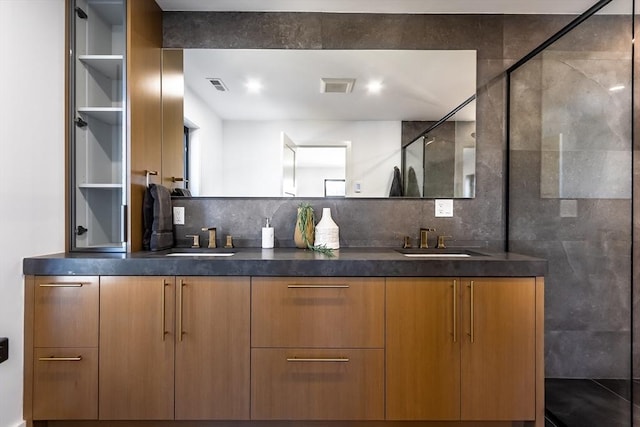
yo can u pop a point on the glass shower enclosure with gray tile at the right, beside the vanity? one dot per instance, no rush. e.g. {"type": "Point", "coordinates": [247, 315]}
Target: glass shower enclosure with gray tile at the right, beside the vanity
{"type": "Point", "coordinates": [570, 200]}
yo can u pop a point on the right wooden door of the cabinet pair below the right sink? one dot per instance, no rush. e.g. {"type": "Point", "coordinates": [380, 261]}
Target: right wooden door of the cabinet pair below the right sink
{"type": "Point", "coordinates": [498, 349]}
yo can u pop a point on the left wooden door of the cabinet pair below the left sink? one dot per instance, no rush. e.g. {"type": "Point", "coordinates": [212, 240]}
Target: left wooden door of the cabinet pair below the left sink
{"type": "Point", "coordinates": [136, 347]}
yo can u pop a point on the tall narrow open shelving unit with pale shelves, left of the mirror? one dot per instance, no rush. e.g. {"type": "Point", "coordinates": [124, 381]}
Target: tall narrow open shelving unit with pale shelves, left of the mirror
{"type": "Point", "coordinates": [98, 116]}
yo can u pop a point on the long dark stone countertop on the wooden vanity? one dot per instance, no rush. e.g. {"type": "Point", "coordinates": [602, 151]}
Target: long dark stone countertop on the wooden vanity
{"type": "Point", "coordinates": [353, 262]}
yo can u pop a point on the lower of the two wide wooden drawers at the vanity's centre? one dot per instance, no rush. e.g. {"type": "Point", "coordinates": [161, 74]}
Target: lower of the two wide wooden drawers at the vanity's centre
{"type": "Point", "coordinates": [317, 384]}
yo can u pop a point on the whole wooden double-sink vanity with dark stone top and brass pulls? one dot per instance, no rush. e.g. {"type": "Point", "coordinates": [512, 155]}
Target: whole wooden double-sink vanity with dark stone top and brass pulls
{"type": "Point", "coordinates": [367, 337]}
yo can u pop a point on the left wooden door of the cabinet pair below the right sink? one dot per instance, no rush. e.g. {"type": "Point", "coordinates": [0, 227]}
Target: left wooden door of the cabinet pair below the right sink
{"type": "Point", "coordinates": [423, 349]}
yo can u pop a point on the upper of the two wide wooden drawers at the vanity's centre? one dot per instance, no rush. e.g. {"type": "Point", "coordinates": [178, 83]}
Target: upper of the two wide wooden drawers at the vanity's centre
{"type": "Point", "coordinates": [317, 312]}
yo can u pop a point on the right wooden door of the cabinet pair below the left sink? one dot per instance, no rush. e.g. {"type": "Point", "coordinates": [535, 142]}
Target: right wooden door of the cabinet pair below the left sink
{"type": "Point", "coordinates": [212, 350]}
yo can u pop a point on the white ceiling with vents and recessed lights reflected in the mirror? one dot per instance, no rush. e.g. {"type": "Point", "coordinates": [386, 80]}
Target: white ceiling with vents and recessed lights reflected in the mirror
{"type": "Point", "coordinates": [416, 84]}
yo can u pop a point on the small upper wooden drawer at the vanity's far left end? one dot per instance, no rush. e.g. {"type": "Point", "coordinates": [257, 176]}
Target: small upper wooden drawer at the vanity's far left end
{"type": "Point", "coordinates": [66, 310]}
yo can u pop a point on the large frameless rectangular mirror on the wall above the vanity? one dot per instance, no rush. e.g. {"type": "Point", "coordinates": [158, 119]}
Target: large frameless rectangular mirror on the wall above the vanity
{"type": "Point", "coordinates": [314, 123]}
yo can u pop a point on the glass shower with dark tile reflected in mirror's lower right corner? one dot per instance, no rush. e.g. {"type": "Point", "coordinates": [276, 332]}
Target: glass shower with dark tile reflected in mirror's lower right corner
{"type": "Point", "coordinates": [441, 162]}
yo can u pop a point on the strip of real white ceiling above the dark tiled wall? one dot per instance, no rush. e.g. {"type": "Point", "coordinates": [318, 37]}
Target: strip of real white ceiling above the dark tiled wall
{"type": "Point", "coordinates": [395, 6]}
